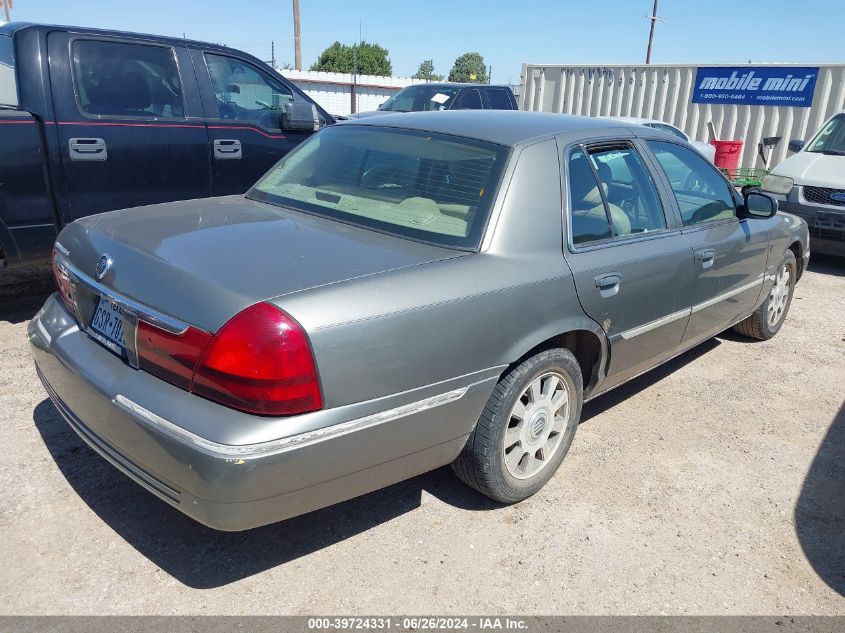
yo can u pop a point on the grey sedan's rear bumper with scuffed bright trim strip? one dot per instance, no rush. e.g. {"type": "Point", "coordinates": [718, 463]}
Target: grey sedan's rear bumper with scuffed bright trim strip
{"type": "Point", "coordinates": [149, 430]}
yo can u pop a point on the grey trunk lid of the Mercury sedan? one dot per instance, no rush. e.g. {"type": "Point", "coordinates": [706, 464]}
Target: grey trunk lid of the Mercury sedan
{"type": "Point", "coordinates": [203, 261]}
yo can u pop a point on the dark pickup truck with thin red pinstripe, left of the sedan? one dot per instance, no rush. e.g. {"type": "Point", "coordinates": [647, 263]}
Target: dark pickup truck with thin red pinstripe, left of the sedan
{"type": "Point", "coordinates": [92, 121]}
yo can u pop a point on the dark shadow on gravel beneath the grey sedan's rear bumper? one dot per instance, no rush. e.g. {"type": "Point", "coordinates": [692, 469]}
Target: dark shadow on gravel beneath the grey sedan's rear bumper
{"type": "Point", "coordinates": [203, 558]}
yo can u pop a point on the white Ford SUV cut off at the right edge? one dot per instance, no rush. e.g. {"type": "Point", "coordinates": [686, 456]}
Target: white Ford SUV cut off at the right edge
{"type": "Point", "coordinates": [817, 190]}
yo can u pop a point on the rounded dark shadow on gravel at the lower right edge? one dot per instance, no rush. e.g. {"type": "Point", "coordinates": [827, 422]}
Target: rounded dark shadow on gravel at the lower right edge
{"type": "Point", "coordinates": [820, 511]}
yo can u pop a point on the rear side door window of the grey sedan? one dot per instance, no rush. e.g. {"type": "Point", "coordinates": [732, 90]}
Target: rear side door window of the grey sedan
{"type": "Point", "coordinates": [612, 194]}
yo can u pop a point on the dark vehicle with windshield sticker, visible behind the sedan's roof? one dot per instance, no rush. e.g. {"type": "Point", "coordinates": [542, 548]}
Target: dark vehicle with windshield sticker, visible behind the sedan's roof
{"type": "Point", "coordinates": [445, 96]}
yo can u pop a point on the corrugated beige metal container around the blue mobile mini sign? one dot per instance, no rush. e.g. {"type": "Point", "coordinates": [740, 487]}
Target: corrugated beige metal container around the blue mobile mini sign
{"type": "Point", "coordinates": [665, 93]}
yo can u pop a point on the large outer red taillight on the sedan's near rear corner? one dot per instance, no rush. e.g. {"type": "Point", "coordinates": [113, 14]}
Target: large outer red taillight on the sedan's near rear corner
{"type": "Point", "coordinates": [260, 361]}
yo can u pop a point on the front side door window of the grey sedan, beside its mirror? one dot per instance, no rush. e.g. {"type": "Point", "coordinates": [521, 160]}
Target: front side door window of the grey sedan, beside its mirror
{"type": "Point", "coordinates": [702, 193]}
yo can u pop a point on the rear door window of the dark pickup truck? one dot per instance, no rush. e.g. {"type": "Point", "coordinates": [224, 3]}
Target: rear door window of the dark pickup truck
{"type": "Point", "coordinates": [119, 79]}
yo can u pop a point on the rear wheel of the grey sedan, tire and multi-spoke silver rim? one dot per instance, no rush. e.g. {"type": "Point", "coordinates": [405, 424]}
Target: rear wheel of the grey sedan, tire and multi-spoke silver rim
{"type": "Point", "coordinates": [526, 428]}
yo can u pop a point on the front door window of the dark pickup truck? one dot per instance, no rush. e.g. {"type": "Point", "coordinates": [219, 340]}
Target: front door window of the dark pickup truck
{"type": "Point", "coordinates": [245, 94]}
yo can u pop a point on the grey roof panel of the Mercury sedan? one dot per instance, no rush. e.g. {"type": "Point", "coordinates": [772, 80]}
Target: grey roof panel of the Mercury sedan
{"type": "Point", "coordinates": [504, 127]}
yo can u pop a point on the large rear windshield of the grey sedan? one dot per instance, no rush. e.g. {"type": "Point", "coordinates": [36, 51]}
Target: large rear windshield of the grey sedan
{"type": "Point", "coordinates": [419, 185]}
